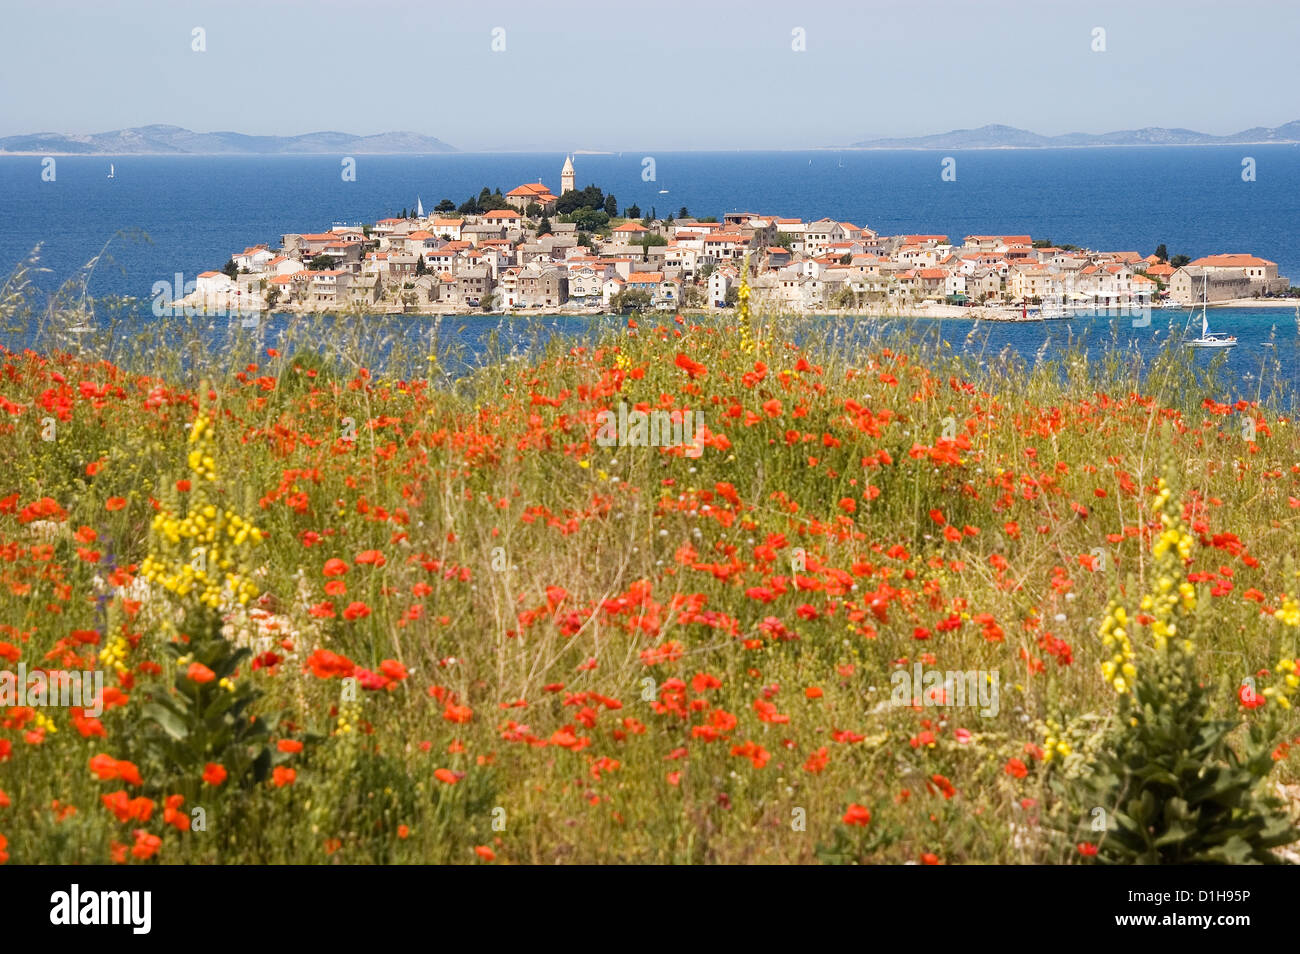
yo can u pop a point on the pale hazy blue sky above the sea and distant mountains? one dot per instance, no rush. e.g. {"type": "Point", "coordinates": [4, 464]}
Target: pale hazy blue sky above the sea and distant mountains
{"type": "Point", "coordinates": [670, 75]}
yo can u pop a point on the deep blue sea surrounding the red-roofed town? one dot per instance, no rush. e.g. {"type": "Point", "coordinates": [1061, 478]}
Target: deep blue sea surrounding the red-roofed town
{"type": "Point", "coordinates": [167, 215]}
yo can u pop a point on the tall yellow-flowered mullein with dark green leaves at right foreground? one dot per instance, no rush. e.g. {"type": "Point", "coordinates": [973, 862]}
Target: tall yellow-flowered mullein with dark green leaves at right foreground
{"type": "Point", "coordinates": [1169, 783]}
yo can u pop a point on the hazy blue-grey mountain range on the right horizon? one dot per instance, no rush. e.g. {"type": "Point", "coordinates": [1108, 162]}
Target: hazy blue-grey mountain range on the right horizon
{"type": "Point", "coordinates": [1011, 138]}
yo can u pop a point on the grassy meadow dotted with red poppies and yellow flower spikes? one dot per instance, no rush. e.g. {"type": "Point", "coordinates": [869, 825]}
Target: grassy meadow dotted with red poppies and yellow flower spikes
{"type": "Point", "coordinates": [346, 615]}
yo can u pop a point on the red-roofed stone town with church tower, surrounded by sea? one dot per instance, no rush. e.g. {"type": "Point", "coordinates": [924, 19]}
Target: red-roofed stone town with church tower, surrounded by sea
{"type": "Point", "coordinates": [577, 251]}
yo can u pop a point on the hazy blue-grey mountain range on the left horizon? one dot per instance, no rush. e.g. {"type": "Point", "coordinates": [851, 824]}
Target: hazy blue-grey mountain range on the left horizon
{"type": "Point", "coordinates": [177, 141]}
